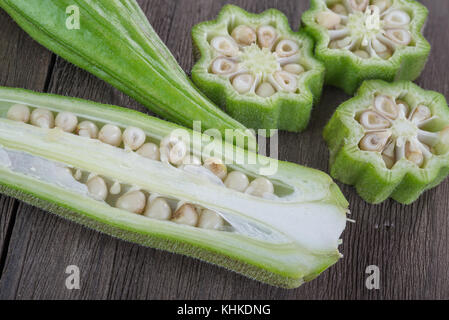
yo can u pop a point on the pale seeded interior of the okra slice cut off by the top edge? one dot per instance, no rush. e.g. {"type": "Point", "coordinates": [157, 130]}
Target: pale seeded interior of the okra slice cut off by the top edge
{"type": "Point", "coordinates": [367, 28]}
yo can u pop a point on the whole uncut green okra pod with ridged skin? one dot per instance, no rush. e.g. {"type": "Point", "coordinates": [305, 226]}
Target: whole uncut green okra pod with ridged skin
{"type": "Point", "coordinates": [116, 43]}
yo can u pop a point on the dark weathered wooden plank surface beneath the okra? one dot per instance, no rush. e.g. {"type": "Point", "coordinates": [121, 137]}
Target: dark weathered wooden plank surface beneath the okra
{"type": "Point", "coordinates": [408, 243]}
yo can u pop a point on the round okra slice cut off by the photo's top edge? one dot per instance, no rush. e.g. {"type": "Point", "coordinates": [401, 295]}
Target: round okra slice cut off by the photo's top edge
{"type": "Point", "coordinates": [368, 39]}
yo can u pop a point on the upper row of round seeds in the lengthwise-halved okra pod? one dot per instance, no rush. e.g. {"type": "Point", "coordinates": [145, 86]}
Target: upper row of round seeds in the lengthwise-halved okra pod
{"type": "Point", "coordinates": [171, 149]}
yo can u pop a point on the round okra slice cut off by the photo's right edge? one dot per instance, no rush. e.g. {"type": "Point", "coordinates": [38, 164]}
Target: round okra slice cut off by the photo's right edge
{"type": "Point", "coordinates": [390, 140]}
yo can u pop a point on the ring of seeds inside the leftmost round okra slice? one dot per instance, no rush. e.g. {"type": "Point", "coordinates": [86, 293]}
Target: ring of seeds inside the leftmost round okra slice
{"type": "Point", "coordinates": [243, 41]}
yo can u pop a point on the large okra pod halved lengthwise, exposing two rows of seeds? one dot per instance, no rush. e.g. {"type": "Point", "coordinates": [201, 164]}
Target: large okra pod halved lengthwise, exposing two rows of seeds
{"type": "Point", "coordinates": [154, 183]}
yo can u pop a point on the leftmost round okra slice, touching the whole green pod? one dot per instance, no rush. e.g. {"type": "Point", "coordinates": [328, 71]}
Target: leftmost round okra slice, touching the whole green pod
{"type": "Point", "coordinates": [255, 67]}
